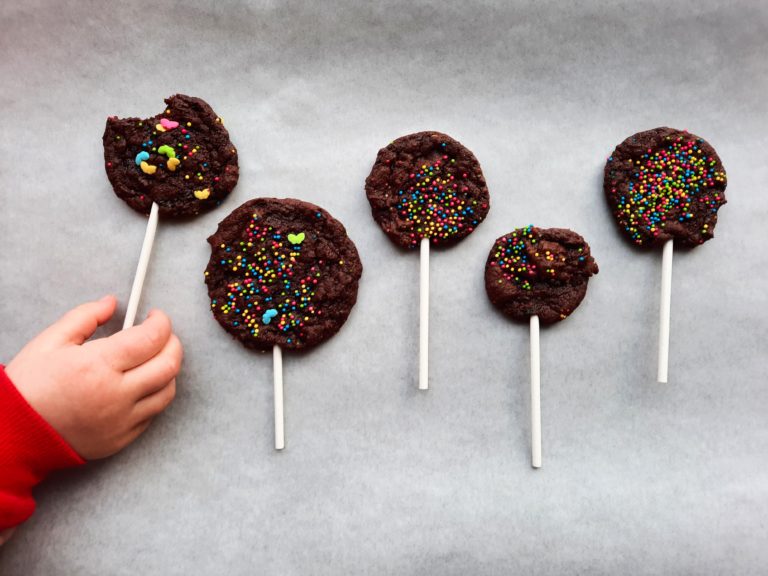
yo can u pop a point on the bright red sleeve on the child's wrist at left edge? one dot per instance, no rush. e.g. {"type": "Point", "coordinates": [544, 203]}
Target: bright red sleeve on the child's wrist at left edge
{"type": "Point", "coordinates": [29, 449]}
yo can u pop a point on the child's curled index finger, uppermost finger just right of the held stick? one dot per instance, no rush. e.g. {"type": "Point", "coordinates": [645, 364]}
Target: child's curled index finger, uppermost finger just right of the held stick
{"type": "Point", "coordinates": [134, 346]}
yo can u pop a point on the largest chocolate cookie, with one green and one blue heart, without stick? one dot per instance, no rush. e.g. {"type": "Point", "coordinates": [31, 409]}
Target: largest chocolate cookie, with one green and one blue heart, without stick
{"type": "Point", "coordinates": [282, 272]}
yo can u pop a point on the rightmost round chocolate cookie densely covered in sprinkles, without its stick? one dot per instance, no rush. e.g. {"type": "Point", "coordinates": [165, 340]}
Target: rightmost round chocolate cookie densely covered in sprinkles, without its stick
{"type": "Point", "coordinates": [663, 184]}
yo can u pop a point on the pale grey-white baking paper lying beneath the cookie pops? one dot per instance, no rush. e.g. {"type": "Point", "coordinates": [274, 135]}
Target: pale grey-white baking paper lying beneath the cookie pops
{"type": "Point", "coordinates": [377, 477]}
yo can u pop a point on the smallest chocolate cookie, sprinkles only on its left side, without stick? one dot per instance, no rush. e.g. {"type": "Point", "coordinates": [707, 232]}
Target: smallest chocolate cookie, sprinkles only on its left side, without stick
{"type": "Point", "coordinates": [538, 271]}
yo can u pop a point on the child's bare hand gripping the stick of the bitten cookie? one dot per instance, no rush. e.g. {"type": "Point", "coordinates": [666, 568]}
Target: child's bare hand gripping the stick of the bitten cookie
{"type": "Point", "coordinates": [99, 395]}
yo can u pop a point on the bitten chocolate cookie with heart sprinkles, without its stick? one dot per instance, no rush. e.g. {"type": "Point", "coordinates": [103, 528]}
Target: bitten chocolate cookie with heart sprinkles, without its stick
{"type": "Point", "coordinates": [182, 159]}
